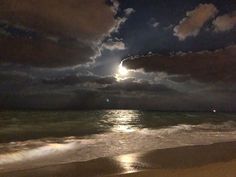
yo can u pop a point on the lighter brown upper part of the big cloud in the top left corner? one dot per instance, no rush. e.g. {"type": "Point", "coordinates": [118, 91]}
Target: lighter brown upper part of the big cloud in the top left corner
{"type": "Point", "coordinates": [69, 18]}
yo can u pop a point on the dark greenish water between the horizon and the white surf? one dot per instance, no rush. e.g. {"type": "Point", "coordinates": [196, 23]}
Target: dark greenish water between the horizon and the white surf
{"type": "Point", "coordinates": [18, 125]}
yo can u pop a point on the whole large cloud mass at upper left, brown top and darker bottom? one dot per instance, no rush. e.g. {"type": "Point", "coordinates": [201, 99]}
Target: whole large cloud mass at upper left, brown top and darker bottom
{"type": "Point", "coordinates": [67, 33]}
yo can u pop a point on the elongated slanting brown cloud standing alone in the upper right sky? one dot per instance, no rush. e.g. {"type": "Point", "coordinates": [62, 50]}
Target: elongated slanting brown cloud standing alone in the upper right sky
{"type": "Point", "coordinates": [194, 21]}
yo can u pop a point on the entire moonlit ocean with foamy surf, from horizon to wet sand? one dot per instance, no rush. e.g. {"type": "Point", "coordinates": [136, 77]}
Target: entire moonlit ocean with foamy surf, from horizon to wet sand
{"type": "Point", "coordinates": [40, 138]}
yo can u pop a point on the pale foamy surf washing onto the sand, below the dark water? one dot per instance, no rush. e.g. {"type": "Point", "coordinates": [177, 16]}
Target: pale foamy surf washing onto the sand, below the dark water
{"type": "Point", "coordinates": [35, 153]}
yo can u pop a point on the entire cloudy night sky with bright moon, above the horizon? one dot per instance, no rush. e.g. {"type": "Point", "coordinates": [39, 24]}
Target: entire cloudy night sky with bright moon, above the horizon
{"type": "Point", "coordinates": [128, 54]}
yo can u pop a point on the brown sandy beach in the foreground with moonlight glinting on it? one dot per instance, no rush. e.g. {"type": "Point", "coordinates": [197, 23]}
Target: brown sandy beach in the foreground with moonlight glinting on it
{"type": "Point", "coordinates": [215, 160]}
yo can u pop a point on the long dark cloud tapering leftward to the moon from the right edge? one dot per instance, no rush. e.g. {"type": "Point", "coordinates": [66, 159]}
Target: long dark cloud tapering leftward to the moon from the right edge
{"type": "Point", "coordinates": [206, 66]}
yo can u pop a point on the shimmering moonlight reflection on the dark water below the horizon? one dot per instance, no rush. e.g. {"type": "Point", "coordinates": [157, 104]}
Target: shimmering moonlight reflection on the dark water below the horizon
{"type": "Point", "coordinates": [123, 121]}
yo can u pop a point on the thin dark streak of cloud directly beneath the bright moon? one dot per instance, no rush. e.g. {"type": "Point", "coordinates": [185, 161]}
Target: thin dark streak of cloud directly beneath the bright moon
{"type": "Point", "coordinates": [109, 84]}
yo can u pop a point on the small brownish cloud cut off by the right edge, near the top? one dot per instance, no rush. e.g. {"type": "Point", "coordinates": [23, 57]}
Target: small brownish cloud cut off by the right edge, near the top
{"type": "Point", "coordinates": [225, 22]}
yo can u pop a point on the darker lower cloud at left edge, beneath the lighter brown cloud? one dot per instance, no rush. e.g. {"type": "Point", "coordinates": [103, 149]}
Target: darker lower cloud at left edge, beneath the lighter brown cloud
{"type": "Point", "coordinates": [43, 53]}
